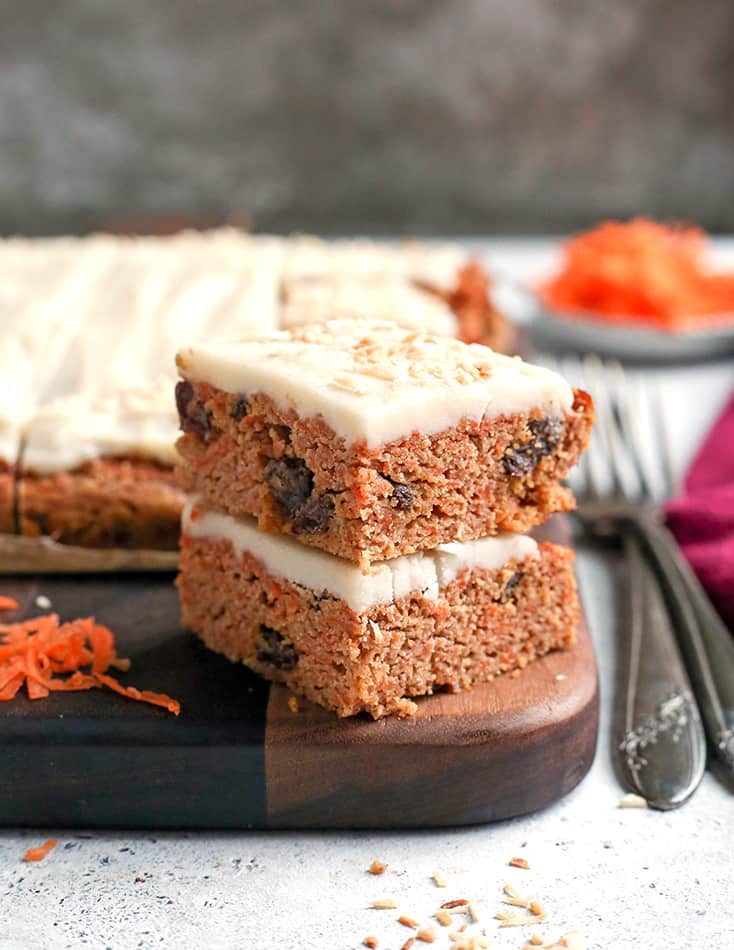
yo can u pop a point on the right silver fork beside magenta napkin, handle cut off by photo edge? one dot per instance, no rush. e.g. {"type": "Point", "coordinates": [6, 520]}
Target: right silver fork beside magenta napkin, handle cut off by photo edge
{"type": "Point", "coordinates": [706, 644]}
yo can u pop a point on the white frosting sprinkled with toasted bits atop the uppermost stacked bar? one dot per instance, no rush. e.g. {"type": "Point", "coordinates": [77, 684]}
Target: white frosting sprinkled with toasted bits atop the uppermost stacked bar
{"type": "Point", "coordinates": [376, 381]}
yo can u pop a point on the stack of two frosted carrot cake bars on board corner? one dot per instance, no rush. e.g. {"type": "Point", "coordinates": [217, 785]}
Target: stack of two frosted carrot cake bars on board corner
{"type": "Point", "coordinates": [359, 496]}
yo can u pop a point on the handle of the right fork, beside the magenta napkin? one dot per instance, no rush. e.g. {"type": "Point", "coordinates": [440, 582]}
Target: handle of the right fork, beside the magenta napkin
{"type": "Point", "coordinates": [706, 643]}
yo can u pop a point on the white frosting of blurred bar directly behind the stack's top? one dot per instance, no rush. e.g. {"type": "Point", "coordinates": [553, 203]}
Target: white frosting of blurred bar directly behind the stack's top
{"type": "Point", "coordinates": [320, 300]}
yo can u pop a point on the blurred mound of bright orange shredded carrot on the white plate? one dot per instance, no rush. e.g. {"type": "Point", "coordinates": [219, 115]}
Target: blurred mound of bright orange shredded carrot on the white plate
{"type": "Point", "coordinates": [641, 272]}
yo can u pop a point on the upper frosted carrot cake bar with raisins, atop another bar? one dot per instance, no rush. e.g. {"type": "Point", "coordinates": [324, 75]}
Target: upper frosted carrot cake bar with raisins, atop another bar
{"type": "Point", "coordinates": [370, 441]}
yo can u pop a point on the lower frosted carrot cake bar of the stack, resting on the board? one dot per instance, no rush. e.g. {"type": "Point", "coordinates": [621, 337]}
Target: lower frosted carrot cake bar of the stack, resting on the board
{"type": "Point", "coordinates": [353, 641]}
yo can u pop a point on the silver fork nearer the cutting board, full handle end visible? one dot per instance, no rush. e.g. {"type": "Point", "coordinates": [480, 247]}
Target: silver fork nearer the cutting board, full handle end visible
{"type": "Point", "coordinates": [658, 737]}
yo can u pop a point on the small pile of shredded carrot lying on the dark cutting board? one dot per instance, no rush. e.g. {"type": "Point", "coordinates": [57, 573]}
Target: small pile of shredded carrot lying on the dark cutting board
{"type": "Point", "coordinates": [46, 656]}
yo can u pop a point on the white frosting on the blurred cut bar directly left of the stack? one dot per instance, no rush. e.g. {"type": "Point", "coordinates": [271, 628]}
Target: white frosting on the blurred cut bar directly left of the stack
{"type": "Point", "coordinates": [71, 430]}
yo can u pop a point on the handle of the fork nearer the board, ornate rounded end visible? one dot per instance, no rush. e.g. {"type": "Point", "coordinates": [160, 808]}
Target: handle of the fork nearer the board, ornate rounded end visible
{"type": "Point", "coordinates": [660, 740]}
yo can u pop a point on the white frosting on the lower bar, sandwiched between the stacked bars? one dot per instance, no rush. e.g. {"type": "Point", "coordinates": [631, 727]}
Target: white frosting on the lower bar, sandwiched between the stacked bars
{"type": "Point", "coordinates": [386, 581]}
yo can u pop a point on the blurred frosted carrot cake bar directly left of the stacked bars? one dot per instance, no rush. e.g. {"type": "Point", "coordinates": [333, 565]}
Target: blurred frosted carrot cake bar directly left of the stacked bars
{"type": "Point", "coordinates": [99, 471]}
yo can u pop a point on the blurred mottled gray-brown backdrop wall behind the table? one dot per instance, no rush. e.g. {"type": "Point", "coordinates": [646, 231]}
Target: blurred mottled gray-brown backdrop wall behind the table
{"type": "Point", "coordinates": [410, 116]}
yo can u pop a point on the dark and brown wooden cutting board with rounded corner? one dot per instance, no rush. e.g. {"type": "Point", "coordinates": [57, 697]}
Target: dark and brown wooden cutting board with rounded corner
{"type": "Point", "coordinates": [238, 757]}
